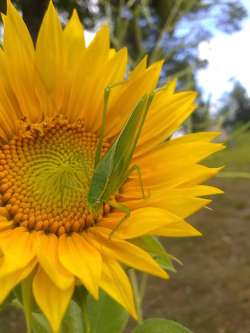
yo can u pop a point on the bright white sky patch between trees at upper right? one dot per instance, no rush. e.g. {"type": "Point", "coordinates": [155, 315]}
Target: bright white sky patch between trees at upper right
{"type": "Point", "coordinates": [228, 59]}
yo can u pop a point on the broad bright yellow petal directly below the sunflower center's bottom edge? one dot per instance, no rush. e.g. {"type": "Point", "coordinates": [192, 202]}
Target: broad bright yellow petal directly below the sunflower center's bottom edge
{"type": "Point", "coordinates": [82, 260]}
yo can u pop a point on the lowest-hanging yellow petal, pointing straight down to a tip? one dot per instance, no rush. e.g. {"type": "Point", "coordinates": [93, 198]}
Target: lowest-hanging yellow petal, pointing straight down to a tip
{"type": "Point", "coordinates": [52, 300]}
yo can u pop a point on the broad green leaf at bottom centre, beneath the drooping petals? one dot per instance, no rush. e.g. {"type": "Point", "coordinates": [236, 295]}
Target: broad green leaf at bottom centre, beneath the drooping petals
{"type": "Point", "coordinates": [106, 316]}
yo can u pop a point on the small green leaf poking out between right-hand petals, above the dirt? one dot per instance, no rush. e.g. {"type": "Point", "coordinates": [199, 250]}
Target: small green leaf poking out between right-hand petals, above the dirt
{"type": "Point", "coordinates": [156, 249]}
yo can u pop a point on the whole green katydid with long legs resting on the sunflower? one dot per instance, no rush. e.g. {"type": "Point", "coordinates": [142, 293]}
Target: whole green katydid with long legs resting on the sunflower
{"type": "Point", "coordinates": [114, 168]}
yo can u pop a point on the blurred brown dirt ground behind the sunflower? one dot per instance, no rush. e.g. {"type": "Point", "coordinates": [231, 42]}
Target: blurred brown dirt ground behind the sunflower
{"type": "Point", "coordinates": [211, 291]}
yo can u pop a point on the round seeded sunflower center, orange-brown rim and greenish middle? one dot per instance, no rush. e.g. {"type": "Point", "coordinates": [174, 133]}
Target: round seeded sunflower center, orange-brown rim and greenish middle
{"type": "Point", "coordinates": [45, 177]}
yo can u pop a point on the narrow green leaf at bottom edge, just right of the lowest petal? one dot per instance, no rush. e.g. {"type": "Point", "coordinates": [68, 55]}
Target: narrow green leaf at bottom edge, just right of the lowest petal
{"type": "Point", "coordinates": [73, 319]}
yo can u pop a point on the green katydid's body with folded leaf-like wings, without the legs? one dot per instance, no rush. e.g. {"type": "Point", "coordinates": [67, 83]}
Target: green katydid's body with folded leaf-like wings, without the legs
{"type": "Point", "coordinates": [112, 170]}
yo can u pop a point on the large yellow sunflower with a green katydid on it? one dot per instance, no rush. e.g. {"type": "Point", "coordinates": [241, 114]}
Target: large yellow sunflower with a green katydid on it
{"type": "Point", "coordinates": [51, 106]}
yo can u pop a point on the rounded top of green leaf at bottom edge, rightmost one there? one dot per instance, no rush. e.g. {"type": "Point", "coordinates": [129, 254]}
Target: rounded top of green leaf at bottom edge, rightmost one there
{"type": "Point", "coordinates": [158, 325]}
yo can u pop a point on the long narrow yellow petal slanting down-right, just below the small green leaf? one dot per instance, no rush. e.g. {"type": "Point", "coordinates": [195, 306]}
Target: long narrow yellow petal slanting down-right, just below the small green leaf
{"type": "Point", "coordinates": [126, 253]}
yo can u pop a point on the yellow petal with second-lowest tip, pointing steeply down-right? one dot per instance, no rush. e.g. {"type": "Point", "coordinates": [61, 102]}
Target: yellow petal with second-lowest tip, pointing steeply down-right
{"type": "Point", "coordinates": [116, 283]}
